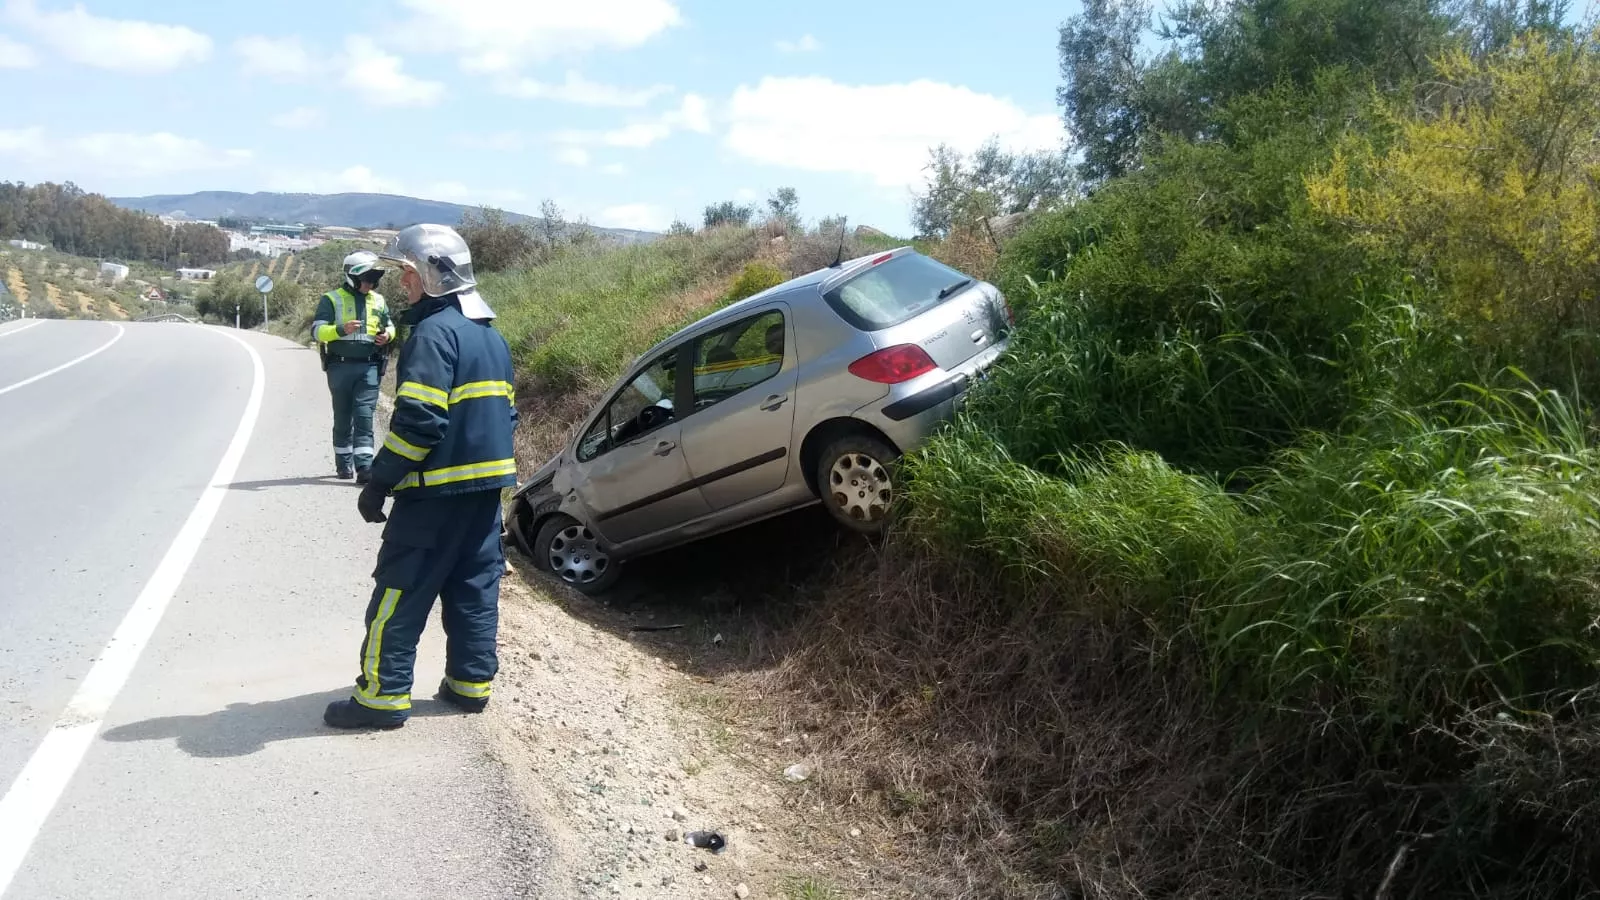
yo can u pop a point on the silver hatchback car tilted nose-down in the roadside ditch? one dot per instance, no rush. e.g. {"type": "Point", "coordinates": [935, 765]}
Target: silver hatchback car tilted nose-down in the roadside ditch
{"type": "Point", "coordinates": [806, 393]}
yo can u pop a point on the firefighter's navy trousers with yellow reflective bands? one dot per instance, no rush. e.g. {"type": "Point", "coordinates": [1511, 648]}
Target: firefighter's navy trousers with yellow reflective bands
{"type": "Point", "coordinates": [446, 548]}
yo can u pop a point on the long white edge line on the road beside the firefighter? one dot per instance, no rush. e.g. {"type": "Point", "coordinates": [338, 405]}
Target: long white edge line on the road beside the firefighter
{"type": "Point", "coordinates": [28, 805]}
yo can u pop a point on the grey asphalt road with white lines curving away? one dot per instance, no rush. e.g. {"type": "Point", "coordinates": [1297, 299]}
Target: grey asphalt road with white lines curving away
{"type": "Point", "coordinates": [167, 645]}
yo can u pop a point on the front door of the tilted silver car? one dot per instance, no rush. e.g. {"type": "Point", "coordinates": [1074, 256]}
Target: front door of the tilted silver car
{"type": "Point", "coordinates": [631, 472]}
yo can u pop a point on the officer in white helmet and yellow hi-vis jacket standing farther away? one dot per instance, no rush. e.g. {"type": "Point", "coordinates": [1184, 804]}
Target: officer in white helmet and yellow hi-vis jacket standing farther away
{"type": "Point", "coordinates": [353, 329]}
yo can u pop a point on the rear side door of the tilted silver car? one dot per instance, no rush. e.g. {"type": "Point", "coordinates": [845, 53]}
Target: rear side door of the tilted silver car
{"type": "Point", "coordinates": [738, 440]}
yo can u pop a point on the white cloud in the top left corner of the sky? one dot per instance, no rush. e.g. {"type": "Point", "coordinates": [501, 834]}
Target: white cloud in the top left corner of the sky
{"type": "Point", "coordinates": [127, 46]}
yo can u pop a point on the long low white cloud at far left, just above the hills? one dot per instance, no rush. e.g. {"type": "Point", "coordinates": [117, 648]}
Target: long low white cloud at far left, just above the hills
{"type": "Point", "coordinates": [110, 156]}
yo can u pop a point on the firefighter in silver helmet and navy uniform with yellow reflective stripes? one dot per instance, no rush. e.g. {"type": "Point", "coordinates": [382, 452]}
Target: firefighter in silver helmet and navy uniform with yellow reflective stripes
{"type": "Point", "coordinates": [446, 460]}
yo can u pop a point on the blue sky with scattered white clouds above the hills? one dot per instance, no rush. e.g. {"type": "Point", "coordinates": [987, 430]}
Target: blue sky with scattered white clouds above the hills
{"type": "Point", "coordinates": [626, 113]}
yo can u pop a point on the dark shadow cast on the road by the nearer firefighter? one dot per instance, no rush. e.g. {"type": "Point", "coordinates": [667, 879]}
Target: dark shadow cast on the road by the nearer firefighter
{"type": "Point", "coordinates": [242, 729]}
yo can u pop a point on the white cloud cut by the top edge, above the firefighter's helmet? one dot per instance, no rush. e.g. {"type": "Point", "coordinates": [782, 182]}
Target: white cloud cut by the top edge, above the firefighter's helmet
{"type": "Point", "coordinates": [502, 36]}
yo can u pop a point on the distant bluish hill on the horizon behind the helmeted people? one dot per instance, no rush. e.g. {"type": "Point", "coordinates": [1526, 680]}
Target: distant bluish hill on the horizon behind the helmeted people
{"type": "Point", "coordinates": [354, 211]}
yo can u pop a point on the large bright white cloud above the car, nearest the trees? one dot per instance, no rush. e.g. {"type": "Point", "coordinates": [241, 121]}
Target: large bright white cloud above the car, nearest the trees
{"type": "Point", "coordinates": [882, 132]}
